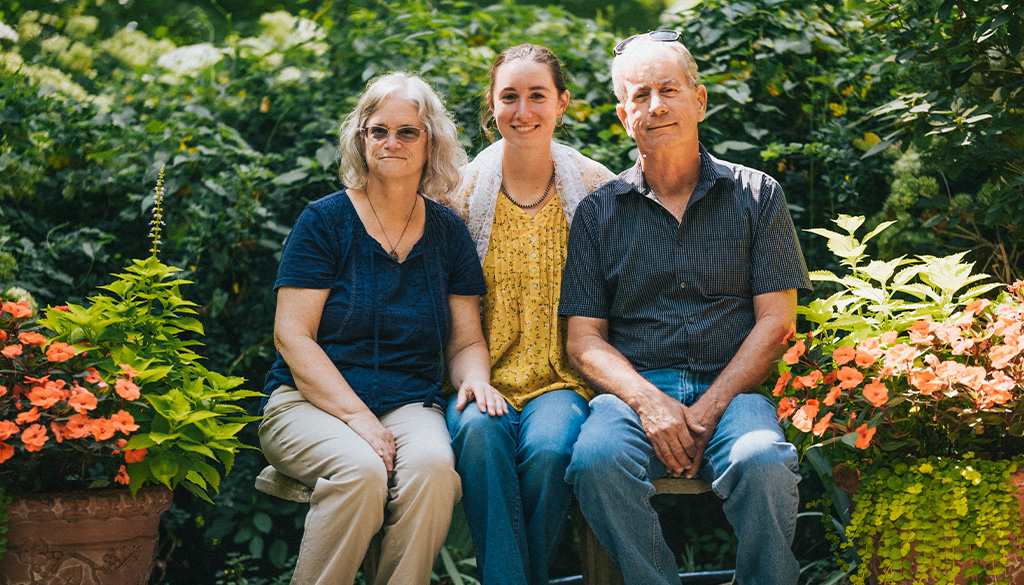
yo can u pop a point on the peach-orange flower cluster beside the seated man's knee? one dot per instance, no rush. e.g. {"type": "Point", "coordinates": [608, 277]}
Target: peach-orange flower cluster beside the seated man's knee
{"type": "Point", "coordinates": [961, 374]}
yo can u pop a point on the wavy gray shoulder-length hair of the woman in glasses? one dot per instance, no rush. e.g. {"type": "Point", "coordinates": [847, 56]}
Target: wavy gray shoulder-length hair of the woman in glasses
{"type": "Point", "coordinates": [445, 154]}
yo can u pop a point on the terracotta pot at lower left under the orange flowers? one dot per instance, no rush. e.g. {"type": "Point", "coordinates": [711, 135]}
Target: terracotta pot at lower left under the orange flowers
{"type": "Point", "coordinates": [102, 537]}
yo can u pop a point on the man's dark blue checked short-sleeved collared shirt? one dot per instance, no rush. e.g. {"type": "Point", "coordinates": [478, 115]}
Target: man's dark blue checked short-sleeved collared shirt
{"type": "Point", "coordinates": [681, 296]}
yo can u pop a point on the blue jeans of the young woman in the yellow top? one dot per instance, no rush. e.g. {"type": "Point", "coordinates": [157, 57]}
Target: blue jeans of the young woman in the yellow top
{"type": "Point", "coordinates": [515, 492]}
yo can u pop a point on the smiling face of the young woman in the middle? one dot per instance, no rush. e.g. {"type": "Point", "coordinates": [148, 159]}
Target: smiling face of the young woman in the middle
{"type": "Point", "coordinates": [526, 103]}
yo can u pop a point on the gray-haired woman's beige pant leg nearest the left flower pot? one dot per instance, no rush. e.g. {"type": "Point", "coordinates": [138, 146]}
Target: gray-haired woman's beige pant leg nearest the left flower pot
{"type": "Point", "coordinates": [349, 479]}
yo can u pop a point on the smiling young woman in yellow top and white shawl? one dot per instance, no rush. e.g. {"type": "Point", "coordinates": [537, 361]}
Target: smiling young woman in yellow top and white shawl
{"type": "Point", "coordinates": [519, 197]}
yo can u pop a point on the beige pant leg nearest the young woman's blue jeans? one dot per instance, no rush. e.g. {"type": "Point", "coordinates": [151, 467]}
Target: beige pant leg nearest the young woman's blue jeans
{"type": "Point", "coordinates": [422, 493]}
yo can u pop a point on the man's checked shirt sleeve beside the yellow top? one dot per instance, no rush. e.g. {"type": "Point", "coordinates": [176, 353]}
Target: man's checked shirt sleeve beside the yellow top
{"type": "Point", "coordinates": [584, 292]}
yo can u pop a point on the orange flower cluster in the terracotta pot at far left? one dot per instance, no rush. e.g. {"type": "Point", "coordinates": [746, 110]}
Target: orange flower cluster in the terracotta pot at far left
{"type": "Point", "coordinates": [52, 401]}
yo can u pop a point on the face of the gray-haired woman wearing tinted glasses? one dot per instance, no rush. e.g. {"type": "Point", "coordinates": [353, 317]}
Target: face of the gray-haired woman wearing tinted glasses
{"type": "Point", "coordinates": [390, 157]}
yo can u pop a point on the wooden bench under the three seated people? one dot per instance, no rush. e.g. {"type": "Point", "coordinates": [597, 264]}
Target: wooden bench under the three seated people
{"type": "Point", "coordinates": [598, 566]}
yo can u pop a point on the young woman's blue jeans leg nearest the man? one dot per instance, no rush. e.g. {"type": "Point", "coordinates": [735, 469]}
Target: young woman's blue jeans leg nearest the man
{"type": "Point", "coordinates": [549, 427]}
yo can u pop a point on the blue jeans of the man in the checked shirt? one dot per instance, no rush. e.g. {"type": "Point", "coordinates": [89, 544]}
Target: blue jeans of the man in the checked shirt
{"type": "Point", "coordinates": [748, 463]}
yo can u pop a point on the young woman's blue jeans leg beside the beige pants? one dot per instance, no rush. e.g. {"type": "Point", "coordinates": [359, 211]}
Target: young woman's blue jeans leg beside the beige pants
{"type": "Point", "coordinates": [486, 457]}
